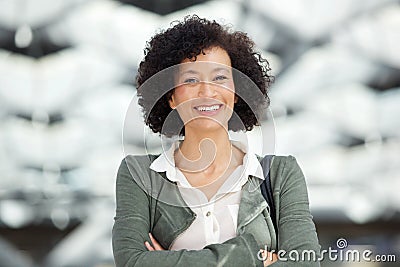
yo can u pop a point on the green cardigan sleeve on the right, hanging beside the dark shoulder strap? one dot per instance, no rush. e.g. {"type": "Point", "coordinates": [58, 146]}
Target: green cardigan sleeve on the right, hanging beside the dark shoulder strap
{"type": "Point", "coordinates": [297, 237]}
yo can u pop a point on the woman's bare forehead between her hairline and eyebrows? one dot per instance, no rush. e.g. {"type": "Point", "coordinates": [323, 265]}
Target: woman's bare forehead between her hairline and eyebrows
{"type": "Point", "coordinates": [214, 57]}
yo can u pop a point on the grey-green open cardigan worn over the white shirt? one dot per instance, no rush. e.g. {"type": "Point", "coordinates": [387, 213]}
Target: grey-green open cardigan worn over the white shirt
{"type": "Point", "coordinates": [149, 202]}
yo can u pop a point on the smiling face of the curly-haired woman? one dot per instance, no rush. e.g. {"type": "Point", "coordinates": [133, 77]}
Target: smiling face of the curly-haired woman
{"type": "Point", "coordinates": [205, 93]}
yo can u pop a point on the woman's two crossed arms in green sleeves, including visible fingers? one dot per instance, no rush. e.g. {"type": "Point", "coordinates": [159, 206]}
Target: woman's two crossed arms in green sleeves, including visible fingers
{"type": "Point", "coordinates": [133, 246]}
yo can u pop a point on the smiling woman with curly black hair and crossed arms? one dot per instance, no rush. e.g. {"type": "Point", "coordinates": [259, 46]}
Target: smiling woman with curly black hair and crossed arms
{"type": "Point", "coordinates": [193, 204]}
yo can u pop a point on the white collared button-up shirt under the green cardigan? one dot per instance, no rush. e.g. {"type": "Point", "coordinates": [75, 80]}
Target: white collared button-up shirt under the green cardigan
{"type": "Point", "coordinates": [216, 219]}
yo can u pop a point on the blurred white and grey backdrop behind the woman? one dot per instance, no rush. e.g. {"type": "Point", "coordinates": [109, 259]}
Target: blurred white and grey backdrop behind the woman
{"type": "Point", "coordinates": [67, 70]}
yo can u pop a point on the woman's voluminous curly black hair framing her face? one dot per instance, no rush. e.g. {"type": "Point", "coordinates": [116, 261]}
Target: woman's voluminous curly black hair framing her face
{"type": "Point", "coordinates": [186, 40]}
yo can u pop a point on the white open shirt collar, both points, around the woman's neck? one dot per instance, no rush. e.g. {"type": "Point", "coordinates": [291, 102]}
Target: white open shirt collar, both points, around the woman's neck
{"type": "Point", "coordinates": [251, 166]}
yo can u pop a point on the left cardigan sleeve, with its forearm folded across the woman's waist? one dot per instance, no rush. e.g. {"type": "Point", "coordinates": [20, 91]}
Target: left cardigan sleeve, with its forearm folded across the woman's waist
{"type": "Point", "coordinates": [132, 224]}
